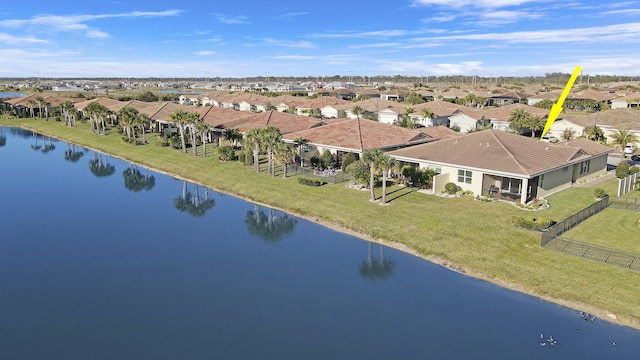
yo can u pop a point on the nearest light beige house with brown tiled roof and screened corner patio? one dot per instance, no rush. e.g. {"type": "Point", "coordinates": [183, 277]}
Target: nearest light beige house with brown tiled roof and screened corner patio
{"type": "Point", "coordinates": [507, 166]}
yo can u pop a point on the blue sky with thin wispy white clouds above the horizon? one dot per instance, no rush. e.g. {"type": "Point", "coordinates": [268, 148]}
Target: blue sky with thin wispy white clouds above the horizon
{"type": "Point", "coordinates": [188, 38]}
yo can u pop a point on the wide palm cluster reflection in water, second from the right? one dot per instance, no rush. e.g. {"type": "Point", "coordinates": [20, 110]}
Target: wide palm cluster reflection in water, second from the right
{"type": "Point", "coordinates": [272, 227]}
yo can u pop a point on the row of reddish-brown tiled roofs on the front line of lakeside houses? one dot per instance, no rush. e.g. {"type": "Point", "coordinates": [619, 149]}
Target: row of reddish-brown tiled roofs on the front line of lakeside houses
{"type": "Point", "coordinates": [490, 149]}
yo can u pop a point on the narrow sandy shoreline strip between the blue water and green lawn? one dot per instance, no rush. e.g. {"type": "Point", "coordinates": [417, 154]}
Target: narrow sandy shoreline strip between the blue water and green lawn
{"type": "Point", "coordinates": [600, 313]}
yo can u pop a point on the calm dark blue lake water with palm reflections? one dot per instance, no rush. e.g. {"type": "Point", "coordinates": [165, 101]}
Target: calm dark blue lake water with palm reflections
{"type": "Point", "coordinates": [101, 259]}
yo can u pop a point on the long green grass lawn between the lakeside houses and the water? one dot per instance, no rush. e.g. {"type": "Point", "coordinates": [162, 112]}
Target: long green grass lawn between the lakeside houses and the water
{"type": "Point", "coordinates": [478, 237]}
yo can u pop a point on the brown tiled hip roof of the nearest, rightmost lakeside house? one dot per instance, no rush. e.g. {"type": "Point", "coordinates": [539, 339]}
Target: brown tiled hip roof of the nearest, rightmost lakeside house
{"type": "Point", "coordinates": [503, 152]}
